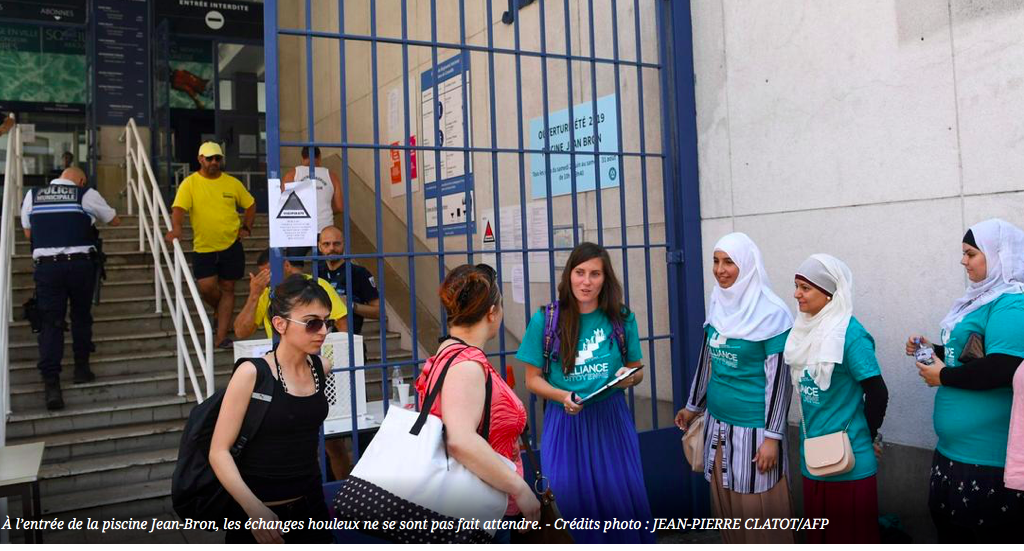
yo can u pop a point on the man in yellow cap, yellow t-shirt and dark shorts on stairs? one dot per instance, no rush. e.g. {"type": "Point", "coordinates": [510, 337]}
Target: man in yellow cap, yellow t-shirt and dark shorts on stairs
{"type": "Point", "coordinates": [212, 199]}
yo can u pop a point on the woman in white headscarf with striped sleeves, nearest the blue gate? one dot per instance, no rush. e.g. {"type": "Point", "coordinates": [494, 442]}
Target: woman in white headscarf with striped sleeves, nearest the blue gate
{"type": "Point", "coordinates": [745, 388]}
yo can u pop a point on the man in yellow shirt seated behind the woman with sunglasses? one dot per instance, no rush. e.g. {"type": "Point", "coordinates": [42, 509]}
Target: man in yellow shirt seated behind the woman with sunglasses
{"type": "Point", "coordinates": [254, 314]}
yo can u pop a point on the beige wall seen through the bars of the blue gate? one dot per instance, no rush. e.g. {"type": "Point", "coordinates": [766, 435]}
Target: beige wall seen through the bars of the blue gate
{"type": "Point", "coordinates": [363, 101]}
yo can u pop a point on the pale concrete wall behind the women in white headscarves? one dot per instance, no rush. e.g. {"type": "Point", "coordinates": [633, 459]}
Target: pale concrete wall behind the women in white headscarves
{"type": "Point", "coordinates": [878, 132]}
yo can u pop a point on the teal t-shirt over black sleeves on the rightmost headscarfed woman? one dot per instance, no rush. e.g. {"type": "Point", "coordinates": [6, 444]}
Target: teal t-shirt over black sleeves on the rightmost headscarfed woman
{"type": "Point", "coordinates": [973, 426]}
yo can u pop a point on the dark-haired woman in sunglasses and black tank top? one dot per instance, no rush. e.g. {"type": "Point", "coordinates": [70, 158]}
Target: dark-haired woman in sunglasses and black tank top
{"type": "Point", "coordinates": [278, 477]}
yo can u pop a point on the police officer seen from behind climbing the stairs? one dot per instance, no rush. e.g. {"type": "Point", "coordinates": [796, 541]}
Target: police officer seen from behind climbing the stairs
{"type": "Point", "coordinates": [59, 220]}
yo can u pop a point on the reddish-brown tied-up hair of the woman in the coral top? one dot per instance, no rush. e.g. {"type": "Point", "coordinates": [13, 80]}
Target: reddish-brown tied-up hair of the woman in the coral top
{"type": "Point", "coordinates": [468, 293]}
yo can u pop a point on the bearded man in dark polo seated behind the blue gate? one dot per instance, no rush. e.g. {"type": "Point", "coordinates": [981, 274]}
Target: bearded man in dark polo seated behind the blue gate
{"type": "Point", "coordinates": [366, 301]}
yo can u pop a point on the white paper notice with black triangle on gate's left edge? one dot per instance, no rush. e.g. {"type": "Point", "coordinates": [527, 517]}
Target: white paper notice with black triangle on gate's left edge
{"type": "Point", "coordinates": [293, 221]}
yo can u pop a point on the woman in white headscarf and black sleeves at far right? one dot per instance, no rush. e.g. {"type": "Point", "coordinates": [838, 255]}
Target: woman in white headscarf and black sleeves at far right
{"type": "Point", "coordinates": [983, 347]}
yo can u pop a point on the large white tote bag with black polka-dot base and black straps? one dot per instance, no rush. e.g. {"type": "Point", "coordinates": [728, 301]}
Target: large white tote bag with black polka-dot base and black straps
{"type": "Point", "coordinates": [407, 468]}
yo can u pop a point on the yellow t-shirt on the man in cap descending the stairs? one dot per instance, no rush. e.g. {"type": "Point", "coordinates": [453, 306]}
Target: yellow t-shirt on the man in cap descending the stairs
{"type": "Point", "coordinates": [214, 207]}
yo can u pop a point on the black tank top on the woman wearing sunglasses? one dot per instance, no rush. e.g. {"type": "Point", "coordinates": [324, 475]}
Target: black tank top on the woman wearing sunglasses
{"type": "Point", "coordinates": [281, 462]}
